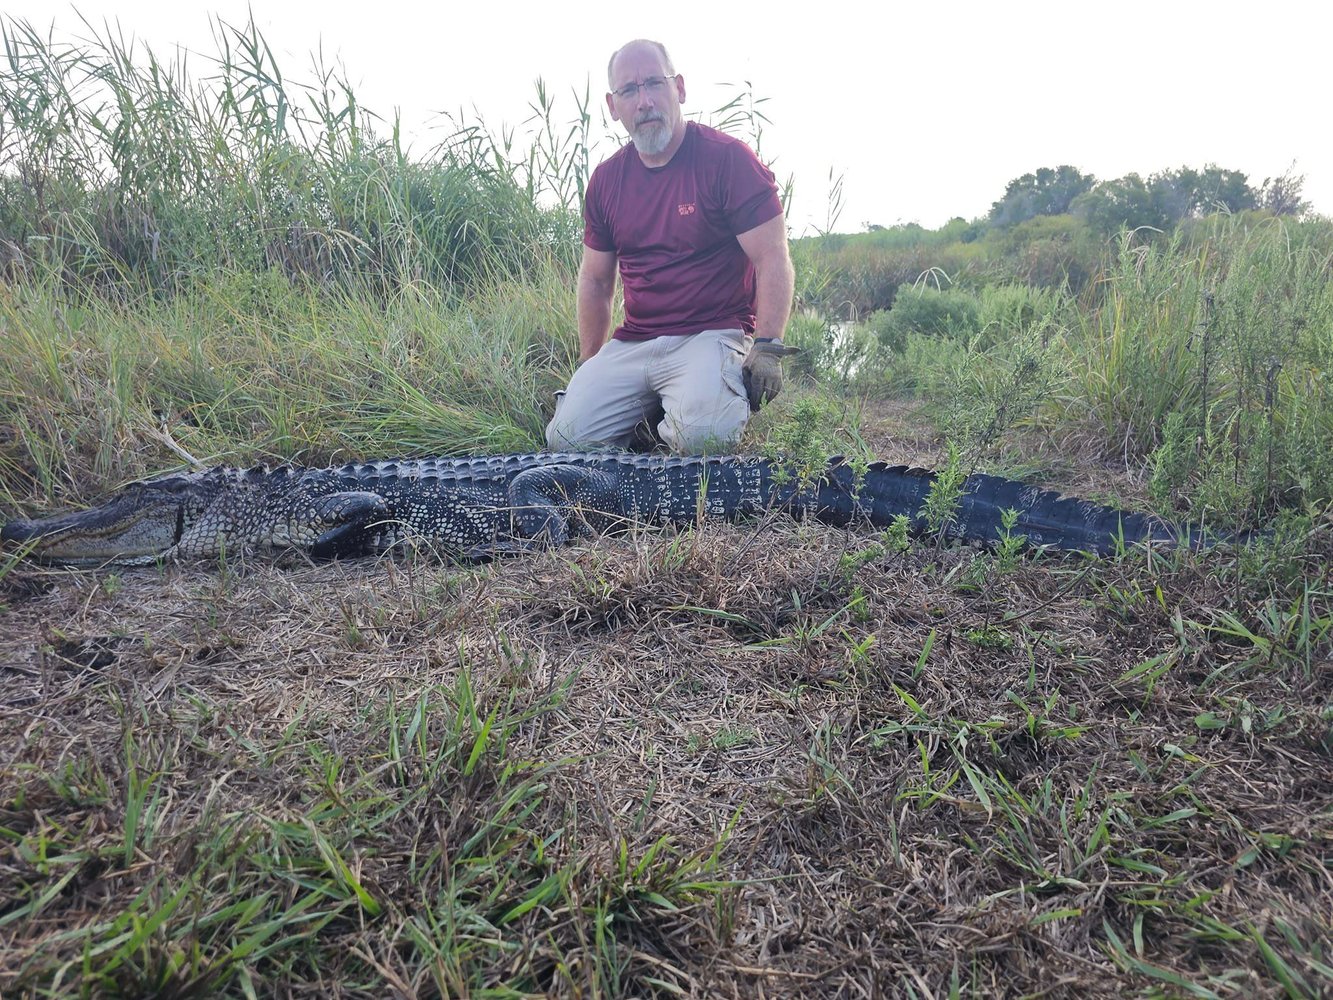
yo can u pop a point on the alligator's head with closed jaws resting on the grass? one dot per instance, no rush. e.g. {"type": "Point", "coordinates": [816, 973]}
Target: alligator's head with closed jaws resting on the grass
{"type": "Point", "coordinates": [141, 525]}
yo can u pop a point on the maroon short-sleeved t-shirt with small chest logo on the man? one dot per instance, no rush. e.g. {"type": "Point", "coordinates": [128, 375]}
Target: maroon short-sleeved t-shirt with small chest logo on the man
{"type": "Point", "coordinates": [674, 231]}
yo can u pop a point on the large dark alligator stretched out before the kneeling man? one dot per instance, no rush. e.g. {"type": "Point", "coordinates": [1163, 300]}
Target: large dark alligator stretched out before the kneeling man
{"type": "Point", "coordinates": [478, 507]}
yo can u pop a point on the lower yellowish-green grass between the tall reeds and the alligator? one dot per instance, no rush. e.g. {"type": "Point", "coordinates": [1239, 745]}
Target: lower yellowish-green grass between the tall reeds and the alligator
{"type": "Point", "coordinates": [253, 369]}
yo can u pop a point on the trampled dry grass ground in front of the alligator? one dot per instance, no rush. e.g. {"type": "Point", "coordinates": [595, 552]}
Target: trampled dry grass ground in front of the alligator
{"type": "Point", "coordinates": [742, 761]}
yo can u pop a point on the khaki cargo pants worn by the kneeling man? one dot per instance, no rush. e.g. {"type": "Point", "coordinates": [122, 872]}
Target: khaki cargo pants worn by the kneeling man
{"type": "Point", "coordinates": [694, 382]}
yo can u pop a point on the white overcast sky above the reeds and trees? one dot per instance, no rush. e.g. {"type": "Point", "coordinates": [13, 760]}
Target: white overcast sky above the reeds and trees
{"type": "Point", "coordinates": [926, 111]}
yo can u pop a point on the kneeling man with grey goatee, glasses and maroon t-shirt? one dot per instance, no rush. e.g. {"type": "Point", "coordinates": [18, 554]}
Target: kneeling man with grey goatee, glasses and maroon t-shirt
{"type": "Point", "coordinates": [694, 225]}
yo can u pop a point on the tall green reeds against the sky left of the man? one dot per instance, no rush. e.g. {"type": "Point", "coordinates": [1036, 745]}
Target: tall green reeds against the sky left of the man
{"type": "Point", "coordinates": [122, 171]}
